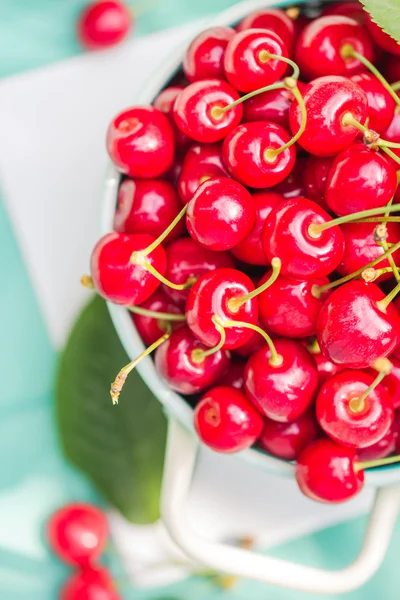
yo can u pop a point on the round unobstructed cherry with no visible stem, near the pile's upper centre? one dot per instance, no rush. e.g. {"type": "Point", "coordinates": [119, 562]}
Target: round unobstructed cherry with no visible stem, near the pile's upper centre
{"type": "Point", "coordinates": [221, 214]}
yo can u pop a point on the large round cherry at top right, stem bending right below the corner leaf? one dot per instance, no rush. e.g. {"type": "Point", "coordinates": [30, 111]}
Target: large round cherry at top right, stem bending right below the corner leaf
{"type": "Point", "coordinates": [319, 48]}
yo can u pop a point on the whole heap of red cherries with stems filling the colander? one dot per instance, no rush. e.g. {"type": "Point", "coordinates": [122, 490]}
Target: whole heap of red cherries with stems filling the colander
{"type": "Point", "coordinates": [256, 240]}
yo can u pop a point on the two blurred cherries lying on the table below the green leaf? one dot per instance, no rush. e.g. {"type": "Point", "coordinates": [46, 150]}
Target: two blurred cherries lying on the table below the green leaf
{"type": "Point", "coordinates": [77, 533]}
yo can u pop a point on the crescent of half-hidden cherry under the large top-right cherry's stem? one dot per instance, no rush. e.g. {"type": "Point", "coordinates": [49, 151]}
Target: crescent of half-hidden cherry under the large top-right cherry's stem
{"type": "Point", "coordinates": [380, 103]}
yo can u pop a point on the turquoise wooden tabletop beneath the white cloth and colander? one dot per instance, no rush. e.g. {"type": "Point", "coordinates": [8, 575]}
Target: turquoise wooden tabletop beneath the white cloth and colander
{"type": "Point", "coordinates": [34, 478]}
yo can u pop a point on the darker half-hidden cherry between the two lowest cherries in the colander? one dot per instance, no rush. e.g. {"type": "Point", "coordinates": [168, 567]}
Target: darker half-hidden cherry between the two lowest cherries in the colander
{"type": "Point", "coordinates": [287, 440]}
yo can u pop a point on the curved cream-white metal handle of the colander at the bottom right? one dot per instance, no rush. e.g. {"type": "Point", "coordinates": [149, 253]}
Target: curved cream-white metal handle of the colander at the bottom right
{"type": "Point", "coordinates": [182, 447]}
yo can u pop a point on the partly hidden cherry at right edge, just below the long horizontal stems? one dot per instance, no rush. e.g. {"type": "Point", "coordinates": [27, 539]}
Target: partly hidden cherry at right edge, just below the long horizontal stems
{"type": "Point", "coordinates": [360, 247]}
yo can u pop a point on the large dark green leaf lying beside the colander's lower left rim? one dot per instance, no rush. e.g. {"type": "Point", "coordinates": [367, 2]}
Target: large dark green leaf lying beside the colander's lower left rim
{"type": "Point", "coordinates": [120, 448]}
